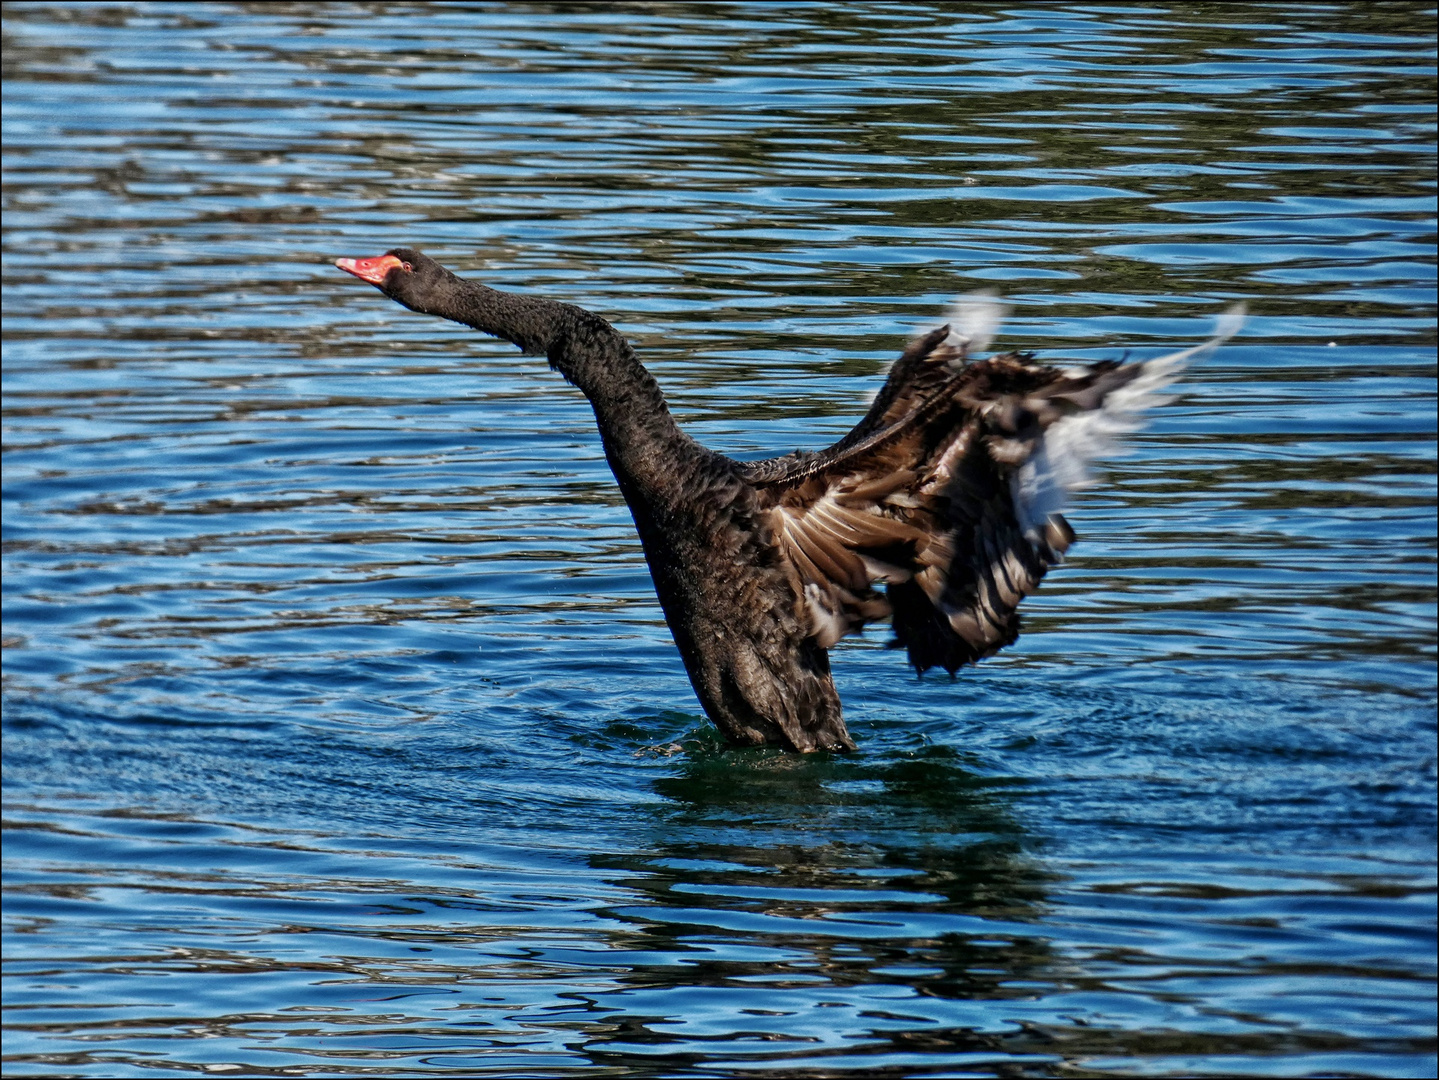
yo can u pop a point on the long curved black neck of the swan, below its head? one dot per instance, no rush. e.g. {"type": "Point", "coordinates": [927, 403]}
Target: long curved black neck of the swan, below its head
{"type": "Point", "coordinates": [645, 448]}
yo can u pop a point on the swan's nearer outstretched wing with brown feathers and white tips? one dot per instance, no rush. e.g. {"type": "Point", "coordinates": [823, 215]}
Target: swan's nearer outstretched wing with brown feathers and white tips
{"type": "Point", "coordinates": [949, 493]}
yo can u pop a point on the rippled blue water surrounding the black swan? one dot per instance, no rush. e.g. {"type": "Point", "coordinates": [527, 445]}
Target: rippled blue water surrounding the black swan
{"type": "Point", "coordinates": [343, 731]}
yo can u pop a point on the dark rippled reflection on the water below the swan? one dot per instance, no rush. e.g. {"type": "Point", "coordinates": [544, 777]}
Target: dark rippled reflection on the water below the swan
{"type": "Point", "coordinates": [795, 904]}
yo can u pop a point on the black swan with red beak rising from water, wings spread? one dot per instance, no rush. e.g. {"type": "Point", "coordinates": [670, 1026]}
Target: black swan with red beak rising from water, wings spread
{"type": "Point", "coordinates": [948, 493]}
